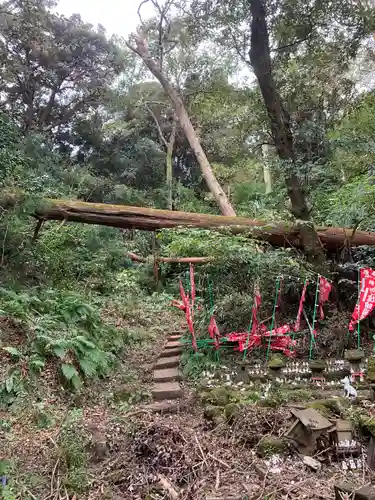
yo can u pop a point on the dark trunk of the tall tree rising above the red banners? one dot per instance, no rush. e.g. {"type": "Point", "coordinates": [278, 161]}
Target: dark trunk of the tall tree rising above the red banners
{"type": "Point", "coordinates": [280, 126]}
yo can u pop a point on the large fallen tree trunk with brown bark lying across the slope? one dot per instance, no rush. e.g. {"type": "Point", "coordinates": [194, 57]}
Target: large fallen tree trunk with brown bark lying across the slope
{"type": "Point", "coordinates": [150, 219]}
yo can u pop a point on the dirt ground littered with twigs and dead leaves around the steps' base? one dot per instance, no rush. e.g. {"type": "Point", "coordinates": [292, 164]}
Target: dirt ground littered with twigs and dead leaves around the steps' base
{"type": "Point", "coordinates": [107, 444]}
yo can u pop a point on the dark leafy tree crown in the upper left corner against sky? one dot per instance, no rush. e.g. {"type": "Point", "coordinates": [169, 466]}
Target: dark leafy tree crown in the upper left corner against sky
{"type": "Point", "coordinates": [53, 68]}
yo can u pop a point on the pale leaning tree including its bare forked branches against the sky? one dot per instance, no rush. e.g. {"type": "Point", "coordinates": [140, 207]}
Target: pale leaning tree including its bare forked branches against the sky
{"type": "Point", "coordinates": [164, 44]}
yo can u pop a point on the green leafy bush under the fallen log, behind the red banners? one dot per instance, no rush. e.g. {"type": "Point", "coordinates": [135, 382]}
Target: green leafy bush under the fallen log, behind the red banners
{"type": "Point", "coordinates": [237, 264]}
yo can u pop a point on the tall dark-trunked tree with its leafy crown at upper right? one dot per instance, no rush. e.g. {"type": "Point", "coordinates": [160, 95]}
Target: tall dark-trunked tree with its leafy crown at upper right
{"type": "Point", "coordinates": [297, 33]}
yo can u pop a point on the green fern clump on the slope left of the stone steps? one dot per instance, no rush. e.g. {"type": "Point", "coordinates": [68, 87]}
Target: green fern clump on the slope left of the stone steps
{"type": "Point", "coordinates": [67, 330]}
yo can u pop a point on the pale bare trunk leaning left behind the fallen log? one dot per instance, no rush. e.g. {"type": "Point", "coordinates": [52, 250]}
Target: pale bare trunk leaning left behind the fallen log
{"type": "Point", "coordinates": [207, 173]}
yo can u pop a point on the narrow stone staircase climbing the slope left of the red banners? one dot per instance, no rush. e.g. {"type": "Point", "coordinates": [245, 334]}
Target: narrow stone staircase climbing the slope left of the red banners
{"type": "Point", "coordinates": [167, 390]}
